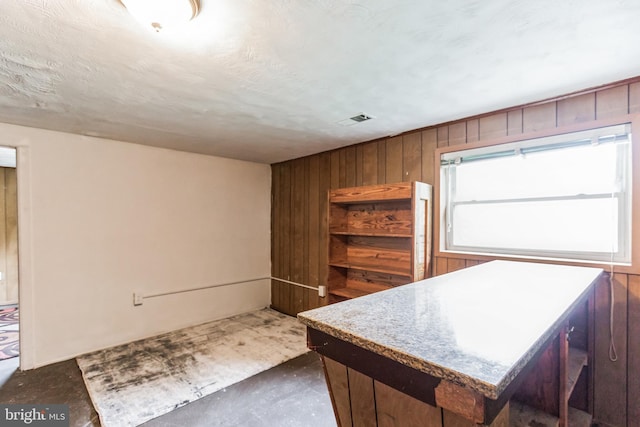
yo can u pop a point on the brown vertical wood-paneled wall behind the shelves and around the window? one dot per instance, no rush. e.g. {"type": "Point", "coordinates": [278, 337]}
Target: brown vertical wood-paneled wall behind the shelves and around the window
{"type": "Point", "coordinates": [299, 211]}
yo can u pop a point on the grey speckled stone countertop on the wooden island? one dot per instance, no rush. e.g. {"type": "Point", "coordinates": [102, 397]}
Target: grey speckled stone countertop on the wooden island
{"type": "Point", "coordinates": [476, 327]}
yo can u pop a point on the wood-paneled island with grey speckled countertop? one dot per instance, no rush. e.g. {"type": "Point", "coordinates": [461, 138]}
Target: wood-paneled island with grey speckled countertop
{"type": "Point", "coordinates": [446, 351]}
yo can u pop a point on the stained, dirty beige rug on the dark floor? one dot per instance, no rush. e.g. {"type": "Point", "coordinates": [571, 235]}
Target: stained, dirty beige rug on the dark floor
{"type": "Point", "coordinates": [133, 383]}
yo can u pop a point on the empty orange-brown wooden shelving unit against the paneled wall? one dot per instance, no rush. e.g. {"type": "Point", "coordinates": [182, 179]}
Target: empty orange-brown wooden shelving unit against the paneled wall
{"type": "Point", "coordinates": [379, 237]}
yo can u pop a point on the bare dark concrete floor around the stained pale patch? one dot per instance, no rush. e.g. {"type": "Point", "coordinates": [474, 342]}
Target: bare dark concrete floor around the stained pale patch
{"type": "Point", "coordinates": [291, 394]}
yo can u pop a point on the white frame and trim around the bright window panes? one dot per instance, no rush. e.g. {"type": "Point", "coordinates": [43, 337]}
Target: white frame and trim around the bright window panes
{"type": "Point", "coordinates": [629, 261]}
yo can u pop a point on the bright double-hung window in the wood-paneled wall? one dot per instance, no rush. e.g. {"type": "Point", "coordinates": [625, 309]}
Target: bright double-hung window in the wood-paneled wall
{"type": "Point", "coordinates": [561, 197]}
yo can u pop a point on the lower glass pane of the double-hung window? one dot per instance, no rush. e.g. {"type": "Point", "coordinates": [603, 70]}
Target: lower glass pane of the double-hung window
{"type": "Point", "coordinates": [561, 225]}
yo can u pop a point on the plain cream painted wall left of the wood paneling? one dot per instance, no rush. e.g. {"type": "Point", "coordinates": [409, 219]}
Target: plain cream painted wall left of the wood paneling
{"type": "Point", "coordinates": [101, 218]}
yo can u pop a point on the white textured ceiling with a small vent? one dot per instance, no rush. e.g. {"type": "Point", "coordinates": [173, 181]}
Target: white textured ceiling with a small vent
{"type": "Point", "coordinates": [269, 80]}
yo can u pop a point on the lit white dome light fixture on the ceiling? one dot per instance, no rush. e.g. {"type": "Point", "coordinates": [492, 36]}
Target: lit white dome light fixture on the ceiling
{"type": "Point", "coordinates": [163, 14]}
